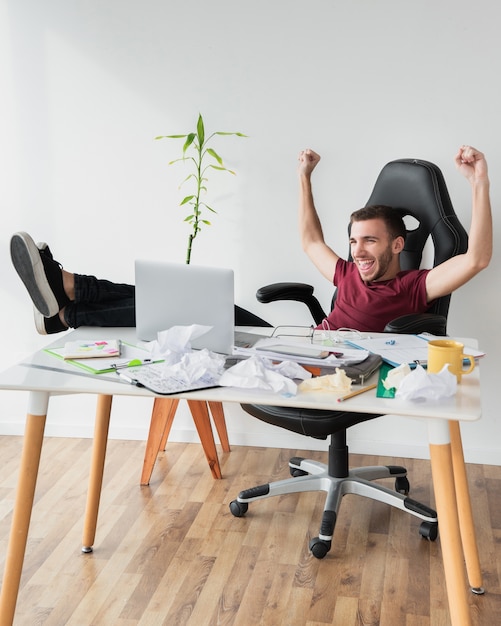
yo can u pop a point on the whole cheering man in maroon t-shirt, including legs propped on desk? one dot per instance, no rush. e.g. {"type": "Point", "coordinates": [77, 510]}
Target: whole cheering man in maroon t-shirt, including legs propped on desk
{"type": "Point", "coordinates": [371, 291]}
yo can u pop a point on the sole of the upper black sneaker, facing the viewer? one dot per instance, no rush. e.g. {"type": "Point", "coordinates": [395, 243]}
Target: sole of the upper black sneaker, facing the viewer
{"type": "Point", "coordinates": [29, 266]}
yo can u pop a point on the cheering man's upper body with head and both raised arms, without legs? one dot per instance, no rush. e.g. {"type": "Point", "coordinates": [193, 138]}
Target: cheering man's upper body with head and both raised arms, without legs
{"type": "Point", "coordinates": [373, 290]}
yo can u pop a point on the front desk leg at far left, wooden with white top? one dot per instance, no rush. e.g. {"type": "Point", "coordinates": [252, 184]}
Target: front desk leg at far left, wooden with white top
{"type": "Point", "coordinates": [28, 472]}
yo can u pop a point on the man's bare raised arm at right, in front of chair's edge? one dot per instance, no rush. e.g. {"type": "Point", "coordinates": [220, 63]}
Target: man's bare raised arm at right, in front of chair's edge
{"type": "Point", "coordinates": [452, 274]}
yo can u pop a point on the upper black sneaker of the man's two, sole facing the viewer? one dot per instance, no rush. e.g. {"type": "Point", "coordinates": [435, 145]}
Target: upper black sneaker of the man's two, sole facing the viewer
{"type": "Point", "coordinates": [41, 274]}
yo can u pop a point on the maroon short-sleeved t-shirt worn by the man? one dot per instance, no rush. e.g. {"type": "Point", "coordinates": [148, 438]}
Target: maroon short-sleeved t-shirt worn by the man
{"type": "Point", "coordinates": [370, 306]}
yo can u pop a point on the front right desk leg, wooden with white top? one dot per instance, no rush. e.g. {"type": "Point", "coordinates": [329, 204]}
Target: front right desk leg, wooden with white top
{"type": "Point", "coordinates": [448, 521]}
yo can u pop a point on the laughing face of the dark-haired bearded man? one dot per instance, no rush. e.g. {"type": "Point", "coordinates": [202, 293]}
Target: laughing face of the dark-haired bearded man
{"type": "Point", "coordinates": [373, 252]}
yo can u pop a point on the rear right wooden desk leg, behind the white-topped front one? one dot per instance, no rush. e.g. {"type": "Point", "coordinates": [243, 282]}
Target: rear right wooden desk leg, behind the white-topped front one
{"type": "Point", "coordinates": [466, 524]}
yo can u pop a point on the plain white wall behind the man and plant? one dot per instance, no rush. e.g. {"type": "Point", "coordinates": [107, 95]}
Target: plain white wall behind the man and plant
{"type": "Point", "coordinates": [87, 85]}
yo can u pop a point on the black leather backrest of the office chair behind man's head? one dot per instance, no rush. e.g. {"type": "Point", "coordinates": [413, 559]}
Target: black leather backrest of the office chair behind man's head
{"type": "Point", "coordinates": [417, 188]}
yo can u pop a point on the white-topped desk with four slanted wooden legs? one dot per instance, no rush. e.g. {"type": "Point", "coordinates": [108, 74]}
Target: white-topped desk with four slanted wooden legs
{"type": "Point", "coordinates": [457, 534]}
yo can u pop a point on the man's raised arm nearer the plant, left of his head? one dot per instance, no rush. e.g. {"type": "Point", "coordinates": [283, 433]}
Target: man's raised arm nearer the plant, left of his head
{"type": "Point", "coordinates": [310, 228]}
